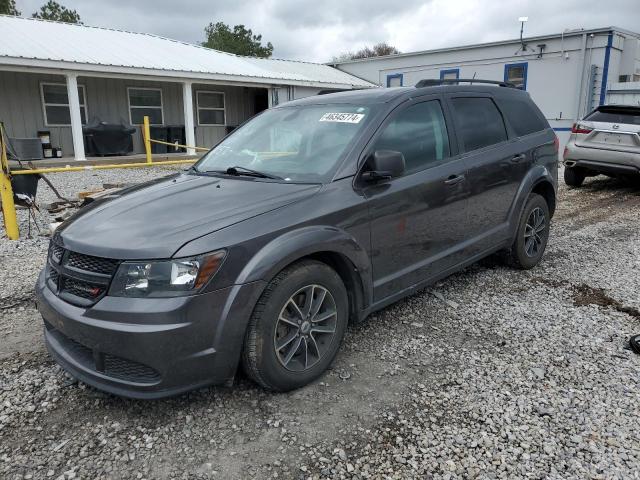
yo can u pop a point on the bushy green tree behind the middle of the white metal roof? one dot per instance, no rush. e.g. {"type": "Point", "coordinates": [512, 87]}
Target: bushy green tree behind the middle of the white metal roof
{"type": "Point", "coordinates": [240, 41]}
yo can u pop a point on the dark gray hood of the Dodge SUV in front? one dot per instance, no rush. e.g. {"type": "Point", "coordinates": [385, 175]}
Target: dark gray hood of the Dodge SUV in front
{"type": "Point", "coordinates": [155, 219]}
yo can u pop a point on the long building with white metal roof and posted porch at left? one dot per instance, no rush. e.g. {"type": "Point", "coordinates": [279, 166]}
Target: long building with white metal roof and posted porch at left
{"type": "Point", "coordinates": [120, 77]}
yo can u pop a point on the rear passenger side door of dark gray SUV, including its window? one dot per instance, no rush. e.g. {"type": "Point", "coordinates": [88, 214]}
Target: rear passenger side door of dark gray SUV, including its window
{"type": "Point", "coordinates": [496, 166]}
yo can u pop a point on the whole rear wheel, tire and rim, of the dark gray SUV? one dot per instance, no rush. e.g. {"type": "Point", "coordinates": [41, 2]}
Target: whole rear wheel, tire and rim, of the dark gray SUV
{"type": "Point", "coordinates": [532, 235]}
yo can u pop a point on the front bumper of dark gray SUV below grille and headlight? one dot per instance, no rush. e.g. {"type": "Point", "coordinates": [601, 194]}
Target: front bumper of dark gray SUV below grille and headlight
{"type": "Point", "coordinates": [149, 348]}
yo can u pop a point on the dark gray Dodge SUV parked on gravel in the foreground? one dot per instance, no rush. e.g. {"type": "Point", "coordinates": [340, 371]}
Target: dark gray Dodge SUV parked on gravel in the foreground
{"type": "Point", "coordinates": [311, 215]}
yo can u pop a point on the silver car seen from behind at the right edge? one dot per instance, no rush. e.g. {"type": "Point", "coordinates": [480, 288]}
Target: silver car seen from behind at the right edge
{"type": "Point", "coordinates": [607, 141]}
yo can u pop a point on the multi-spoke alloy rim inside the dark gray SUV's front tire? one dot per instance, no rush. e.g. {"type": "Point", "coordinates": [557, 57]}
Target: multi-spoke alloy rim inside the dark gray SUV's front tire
{"type": "Point", "coordinates": [306, 328]}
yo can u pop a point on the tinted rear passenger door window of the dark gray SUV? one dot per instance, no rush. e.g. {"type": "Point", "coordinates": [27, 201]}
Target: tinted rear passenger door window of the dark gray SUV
{"type": "Point", "coordinates": [480, 122]}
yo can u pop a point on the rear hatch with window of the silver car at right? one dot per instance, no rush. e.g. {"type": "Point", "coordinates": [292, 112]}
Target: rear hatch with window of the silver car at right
{"type": "Point", "coordinates": [614, 128]}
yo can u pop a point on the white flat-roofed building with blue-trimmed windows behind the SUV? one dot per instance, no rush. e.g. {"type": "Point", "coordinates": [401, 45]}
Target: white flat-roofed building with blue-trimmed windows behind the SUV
{"type": "Point", "coordinates": [567, 74]}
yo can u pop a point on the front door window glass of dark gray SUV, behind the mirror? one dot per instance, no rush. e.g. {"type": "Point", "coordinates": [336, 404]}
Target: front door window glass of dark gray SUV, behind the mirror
{"type": "Point", "coordinates": [420, 133]}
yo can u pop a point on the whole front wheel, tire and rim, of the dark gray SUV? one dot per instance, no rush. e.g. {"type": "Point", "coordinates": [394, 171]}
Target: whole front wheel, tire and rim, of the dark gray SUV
{"type": "Point", "coordinates": [296, 328]}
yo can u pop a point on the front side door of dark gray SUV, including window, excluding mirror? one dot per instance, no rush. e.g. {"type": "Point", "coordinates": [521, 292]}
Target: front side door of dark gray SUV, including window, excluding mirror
{"type": "Point", "coordinates": [417, 220]}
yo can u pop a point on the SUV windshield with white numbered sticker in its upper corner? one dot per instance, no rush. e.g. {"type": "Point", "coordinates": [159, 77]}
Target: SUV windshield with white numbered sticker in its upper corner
{"type": "Point", "coordinates": [294, 144]}
